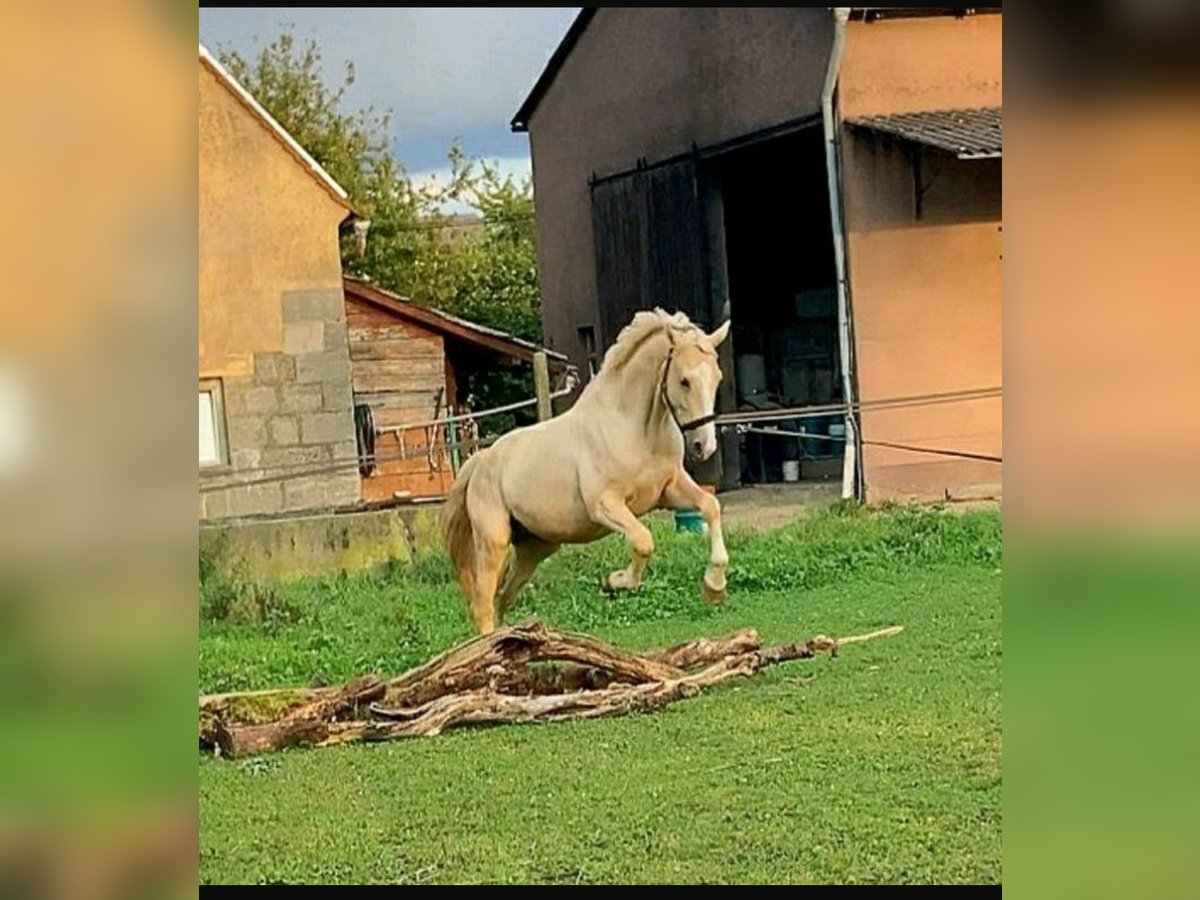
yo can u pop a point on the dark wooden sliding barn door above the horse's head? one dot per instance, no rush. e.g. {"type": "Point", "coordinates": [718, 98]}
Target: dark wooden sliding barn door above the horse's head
{"type": "Point", "coordinates": [650, 245]}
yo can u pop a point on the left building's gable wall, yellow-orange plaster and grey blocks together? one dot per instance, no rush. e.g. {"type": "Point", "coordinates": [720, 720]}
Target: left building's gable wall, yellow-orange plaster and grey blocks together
{"type": "Point", "coordinates": [272, 321]}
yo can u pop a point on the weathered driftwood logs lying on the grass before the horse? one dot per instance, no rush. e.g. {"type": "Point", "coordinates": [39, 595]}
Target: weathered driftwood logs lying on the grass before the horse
{"type": "Point", "coordinates": [524, 674]}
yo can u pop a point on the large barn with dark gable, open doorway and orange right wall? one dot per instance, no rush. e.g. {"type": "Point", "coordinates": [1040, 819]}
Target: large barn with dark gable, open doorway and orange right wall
{"type": "Point", "coordinates": [831, 181]}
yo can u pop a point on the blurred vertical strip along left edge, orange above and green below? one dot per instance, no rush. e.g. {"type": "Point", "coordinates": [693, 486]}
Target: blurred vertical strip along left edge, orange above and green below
{"type": "Point", "coordinates": [98, 543]}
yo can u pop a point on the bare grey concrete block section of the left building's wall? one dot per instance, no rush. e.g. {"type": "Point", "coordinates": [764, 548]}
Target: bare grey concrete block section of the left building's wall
{"type": "Point", "coordinates": [295, 417]}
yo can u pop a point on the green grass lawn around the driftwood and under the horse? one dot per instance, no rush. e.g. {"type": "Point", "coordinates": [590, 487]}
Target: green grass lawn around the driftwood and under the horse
{"type": "Point", "coordinates": [880, 766]}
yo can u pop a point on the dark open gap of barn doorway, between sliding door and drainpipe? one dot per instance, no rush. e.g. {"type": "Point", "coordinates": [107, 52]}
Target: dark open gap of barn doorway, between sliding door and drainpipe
{"type": "Point", "coordinates": [776, 249]}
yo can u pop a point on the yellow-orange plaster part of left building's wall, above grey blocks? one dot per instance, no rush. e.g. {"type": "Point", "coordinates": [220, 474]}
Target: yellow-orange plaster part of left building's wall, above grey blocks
{"type": "Point", "coordinates": [266, 227]}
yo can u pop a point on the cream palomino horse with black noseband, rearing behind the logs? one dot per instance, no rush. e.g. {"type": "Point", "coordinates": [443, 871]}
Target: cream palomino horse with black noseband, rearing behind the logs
{"type": "Point", "coordinates": [615, 457]}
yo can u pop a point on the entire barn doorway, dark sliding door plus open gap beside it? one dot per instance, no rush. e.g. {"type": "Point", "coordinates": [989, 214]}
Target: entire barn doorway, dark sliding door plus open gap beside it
{"type": "Point", "coordinates": [742, 233]}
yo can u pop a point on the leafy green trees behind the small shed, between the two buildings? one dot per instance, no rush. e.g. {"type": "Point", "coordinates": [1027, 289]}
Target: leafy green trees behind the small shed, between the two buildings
{"type": "Point", "coordinates": [491, 279]}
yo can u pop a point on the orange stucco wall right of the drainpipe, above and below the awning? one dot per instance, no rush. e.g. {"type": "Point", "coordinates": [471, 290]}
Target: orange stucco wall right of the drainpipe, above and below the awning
{"type": "Point", "coordinates": [926, 289]}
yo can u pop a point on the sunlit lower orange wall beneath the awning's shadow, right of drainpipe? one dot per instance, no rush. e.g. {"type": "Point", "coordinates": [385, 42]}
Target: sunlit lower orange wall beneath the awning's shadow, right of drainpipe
{"type": "Point", "coordinates": [928, 321]}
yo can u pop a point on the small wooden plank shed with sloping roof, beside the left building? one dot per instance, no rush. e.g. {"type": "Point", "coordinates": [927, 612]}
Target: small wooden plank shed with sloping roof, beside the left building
{"type": "Point", "coordinates": [409, 369]}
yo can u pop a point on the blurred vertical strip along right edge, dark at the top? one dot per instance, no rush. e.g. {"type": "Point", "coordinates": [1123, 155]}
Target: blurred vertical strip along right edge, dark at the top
{"type": "Point", "coordinates": [1103, 443]}
